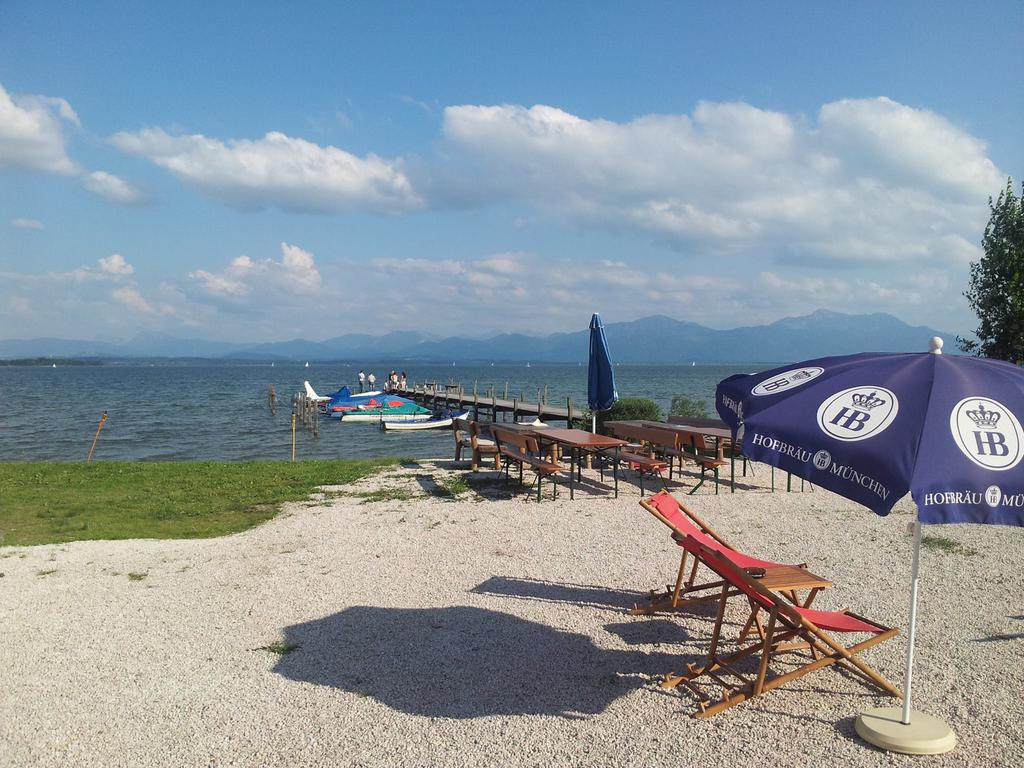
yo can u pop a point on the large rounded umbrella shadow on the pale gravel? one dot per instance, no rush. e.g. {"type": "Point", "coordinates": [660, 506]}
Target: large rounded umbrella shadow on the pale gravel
{"type": "Point", "coordinates": [464, 663]}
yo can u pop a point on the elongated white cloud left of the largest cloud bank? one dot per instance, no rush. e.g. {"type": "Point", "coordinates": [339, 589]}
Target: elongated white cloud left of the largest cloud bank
{"type": "Point", "coordinates": [277, 170]}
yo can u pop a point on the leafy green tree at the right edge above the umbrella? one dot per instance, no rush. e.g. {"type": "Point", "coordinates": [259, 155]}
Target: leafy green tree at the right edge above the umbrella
{"type": "Point", "coordinates": [996, 291]}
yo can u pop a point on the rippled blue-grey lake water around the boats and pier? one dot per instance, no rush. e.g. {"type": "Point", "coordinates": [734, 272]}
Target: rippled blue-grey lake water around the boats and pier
{"type": "Point", "coordinates": [178, 412]}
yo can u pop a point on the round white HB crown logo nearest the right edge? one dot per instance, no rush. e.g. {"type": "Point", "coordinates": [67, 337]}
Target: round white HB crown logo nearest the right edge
{"type": "Point", "coordinates": [987, 433]}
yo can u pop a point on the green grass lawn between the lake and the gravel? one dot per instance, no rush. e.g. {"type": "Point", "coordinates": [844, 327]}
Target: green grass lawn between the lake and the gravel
{"type": "Point", "coordinates": [49, 502]}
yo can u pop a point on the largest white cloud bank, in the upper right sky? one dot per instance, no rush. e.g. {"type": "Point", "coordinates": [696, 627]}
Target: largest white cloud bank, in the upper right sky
{"type": "Point", "coordinates": [872, 182]}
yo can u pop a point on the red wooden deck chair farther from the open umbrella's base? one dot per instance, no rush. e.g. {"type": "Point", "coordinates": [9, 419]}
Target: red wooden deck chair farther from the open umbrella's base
{"type": "Point", "coordinates": [687, 591]}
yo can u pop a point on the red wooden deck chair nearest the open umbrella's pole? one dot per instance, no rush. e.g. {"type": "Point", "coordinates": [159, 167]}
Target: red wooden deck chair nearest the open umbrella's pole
{"type": "Point", "coordinates": [813, 629]}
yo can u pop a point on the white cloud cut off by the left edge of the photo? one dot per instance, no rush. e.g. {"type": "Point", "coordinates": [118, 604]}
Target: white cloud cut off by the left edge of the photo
{"type": "Point", "coordinates": [32, 134]}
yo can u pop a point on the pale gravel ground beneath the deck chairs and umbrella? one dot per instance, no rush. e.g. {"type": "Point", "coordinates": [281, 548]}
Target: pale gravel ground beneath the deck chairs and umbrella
{"type": "Point", "coordinates": [485, 630]}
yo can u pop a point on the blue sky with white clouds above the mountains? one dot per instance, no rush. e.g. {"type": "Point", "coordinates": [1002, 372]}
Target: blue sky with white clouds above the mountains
{"type": "Point", "coordinates": [258, 173]}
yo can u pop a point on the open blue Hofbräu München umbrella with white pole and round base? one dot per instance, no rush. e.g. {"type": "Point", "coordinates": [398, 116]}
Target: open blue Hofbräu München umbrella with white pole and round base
{"type": "Point", "coordinates": [872, 428]}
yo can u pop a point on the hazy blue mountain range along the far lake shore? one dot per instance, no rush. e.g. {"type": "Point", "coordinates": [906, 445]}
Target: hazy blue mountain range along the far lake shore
{"type": "Point", "coordinates": [655, 339]}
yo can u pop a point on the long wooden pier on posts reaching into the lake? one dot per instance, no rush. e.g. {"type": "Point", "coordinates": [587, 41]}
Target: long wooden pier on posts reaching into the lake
{"type": "Point", "coordinates": [488, 406]}
